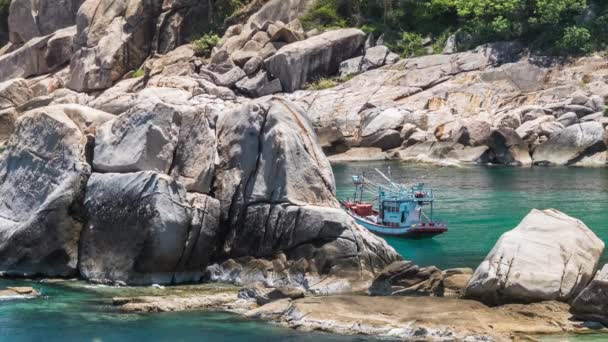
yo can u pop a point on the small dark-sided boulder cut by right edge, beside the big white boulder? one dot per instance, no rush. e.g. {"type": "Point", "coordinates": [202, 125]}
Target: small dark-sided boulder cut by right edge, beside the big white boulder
{"type": "Point", "coordinates": [592, 303]}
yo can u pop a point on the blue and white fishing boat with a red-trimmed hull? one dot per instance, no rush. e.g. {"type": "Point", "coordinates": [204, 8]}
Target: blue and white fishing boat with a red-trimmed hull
{"type": "Point", "coordinates": [397, 210]}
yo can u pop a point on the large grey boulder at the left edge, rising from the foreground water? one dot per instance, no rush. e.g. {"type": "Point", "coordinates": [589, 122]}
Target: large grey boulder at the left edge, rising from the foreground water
{"type": "Point", "coordinates": [43, 173]}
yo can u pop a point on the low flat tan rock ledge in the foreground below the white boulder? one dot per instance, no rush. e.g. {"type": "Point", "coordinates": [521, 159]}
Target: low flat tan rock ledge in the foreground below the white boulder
{"type": "Point", "coordinates": [417, 318]}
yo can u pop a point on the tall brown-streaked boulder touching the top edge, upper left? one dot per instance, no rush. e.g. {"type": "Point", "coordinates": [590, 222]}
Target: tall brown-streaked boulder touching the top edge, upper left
{"type": "Point", "coordinates": [113, 38]}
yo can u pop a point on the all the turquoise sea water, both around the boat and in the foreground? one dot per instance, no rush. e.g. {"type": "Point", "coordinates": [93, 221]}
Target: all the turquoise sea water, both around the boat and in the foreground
{"type": "Point", "coordinates": [478, 203]}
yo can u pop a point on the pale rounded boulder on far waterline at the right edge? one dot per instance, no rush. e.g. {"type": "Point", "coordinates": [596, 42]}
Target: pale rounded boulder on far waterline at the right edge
{"type": "Point", "coordinates": [572, 144]}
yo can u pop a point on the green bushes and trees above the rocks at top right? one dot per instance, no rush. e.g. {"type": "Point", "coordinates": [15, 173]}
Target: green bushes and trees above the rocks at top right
{"type": "Point", "coordinates": [415, 27]}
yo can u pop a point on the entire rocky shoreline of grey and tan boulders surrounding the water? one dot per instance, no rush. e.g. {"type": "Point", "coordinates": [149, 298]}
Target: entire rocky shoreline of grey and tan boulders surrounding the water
{"type": "Point", "coordinates": [129, 158]}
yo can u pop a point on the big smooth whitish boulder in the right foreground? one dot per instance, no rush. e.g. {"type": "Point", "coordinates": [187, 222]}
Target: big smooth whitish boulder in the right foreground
{"type": "Point", "coordinates": [548, 256]}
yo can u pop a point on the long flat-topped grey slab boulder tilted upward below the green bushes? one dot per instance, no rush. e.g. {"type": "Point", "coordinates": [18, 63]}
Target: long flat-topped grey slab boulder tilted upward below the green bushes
{"type": "Point", "coordinates": [298, 63]}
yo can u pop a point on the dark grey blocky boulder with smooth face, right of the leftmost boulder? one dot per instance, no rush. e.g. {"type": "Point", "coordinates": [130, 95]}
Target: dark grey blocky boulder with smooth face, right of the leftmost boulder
{"type": "Point", "coordinates": [142, 228]}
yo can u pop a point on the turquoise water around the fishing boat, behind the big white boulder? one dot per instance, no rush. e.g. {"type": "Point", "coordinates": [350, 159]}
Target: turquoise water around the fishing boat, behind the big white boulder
{"type": "Point", "coordinates": [481, 203]}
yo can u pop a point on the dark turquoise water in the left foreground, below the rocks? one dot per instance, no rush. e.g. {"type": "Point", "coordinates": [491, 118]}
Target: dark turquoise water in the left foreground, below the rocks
{"type": "Point", "coordinates": [68, 313]}
